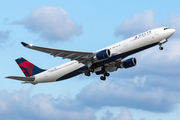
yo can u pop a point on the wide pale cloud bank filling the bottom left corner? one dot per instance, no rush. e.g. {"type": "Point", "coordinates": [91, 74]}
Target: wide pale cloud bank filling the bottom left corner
{"type": "Point", "coordinates": [19, 105]}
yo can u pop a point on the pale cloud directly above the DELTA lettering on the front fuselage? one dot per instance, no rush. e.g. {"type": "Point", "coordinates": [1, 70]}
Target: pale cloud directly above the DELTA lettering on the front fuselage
{"type": "Point", "coordinates": [138, 23]}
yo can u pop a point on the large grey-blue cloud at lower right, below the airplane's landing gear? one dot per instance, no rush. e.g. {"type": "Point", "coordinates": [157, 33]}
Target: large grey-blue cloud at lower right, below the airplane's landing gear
{"type": "Point", "coordinates": [121, 93]}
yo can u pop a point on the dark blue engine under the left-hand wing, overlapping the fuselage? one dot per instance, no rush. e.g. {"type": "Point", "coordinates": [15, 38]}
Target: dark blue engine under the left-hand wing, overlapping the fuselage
{"type": "Point", "coordinates": [104, 54]}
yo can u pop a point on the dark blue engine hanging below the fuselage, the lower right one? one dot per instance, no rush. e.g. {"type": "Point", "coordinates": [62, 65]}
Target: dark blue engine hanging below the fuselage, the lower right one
{"type": "Point", "coordinates": [128, 63]}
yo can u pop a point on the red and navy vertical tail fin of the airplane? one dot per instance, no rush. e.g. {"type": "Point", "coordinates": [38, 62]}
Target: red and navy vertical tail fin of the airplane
{"type": "Point", "coordinates": [28, 68]}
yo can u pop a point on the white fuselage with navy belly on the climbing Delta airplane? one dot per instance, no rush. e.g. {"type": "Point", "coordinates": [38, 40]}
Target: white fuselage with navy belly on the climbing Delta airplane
{"type": "Point", "coordinates": [127, 47]}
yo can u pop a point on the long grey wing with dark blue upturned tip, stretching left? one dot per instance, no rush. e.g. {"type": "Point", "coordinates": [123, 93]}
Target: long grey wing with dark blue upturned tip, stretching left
{"type": "Point", "coordinates": [82, 57]}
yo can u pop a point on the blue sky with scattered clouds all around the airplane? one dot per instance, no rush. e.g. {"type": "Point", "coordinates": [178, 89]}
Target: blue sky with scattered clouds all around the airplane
{"type": "Point", "coordinates": [148, 91]}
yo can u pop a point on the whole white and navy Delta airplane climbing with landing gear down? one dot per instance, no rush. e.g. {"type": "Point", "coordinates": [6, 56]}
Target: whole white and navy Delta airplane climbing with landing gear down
{"type": "Point", "coordinates": [101, 62]}
